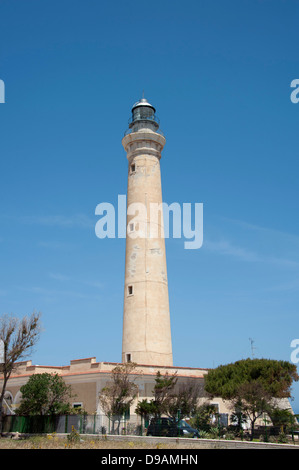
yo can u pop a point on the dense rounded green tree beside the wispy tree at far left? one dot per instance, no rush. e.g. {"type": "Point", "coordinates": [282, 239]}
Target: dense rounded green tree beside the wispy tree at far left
{"type": "Point", "coordinates": [45, 394]}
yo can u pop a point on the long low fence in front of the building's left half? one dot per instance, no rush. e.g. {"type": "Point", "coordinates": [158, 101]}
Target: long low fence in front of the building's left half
{"type": "Point", "coordinates": [84, 424]}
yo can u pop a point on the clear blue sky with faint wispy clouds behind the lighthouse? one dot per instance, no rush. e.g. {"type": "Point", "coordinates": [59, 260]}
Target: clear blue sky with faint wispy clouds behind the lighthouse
{"type": "Point", "coordinates": [219, 75]}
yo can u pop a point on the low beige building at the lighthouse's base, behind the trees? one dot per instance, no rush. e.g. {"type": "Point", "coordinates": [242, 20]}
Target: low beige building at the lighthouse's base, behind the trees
{"type": "Point", "coordinates": [88, 377]}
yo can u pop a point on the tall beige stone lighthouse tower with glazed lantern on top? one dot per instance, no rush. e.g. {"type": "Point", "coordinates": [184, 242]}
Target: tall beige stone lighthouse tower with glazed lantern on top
{"type": "Point", "coordinates": [146, 319]}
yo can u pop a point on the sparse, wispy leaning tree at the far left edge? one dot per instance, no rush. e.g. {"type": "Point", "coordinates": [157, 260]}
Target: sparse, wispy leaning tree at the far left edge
{"type": "Point", "coordinates": [18, 336]}
